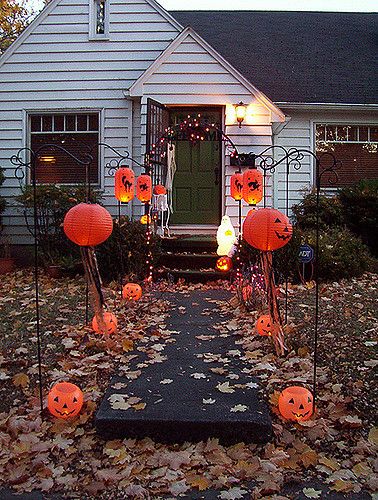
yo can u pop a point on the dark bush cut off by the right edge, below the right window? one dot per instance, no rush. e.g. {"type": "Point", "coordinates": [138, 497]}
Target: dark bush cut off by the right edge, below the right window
{"type": "Point", "coordinates": [360, 210]}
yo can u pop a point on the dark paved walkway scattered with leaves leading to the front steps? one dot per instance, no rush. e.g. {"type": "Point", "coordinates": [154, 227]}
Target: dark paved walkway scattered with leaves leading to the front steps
{"type": "Point", "coordinates": [182, 400]}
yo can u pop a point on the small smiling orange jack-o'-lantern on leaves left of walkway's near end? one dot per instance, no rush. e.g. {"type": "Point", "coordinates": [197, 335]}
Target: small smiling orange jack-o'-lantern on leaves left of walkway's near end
{"type": "Point", "coordinates": [65, 400]}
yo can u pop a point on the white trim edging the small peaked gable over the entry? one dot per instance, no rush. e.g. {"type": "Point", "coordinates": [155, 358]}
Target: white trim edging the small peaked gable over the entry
{"type": "Point", "coordinates": [137, 88]}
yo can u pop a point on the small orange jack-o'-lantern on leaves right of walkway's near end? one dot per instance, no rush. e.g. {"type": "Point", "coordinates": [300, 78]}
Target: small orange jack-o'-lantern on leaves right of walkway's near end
{"type": "Point", "coordinates": [296, 403]}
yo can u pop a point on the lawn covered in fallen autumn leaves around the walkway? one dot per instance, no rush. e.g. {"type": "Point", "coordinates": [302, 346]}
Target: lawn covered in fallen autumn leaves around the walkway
{"type": "Point", "coordinates": [338, 446]}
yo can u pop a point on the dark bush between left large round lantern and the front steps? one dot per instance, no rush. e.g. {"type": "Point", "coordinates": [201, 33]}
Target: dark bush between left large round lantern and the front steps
{"type": "Point", "coordinates": [131, 235]}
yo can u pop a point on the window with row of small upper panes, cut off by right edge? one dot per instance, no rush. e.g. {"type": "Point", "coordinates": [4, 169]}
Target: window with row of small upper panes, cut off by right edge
{"type": "Point", "coordinates": [356, 146]}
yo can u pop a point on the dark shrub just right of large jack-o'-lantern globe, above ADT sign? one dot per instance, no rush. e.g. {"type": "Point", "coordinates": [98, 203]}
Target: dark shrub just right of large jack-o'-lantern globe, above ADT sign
{"type": "Point", "coordinates": [330, 212]}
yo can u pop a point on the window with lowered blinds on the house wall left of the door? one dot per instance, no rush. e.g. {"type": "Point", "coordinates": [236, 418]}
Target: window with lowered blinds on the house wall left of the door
{"type": "Point", "coordinates": [78, 133]}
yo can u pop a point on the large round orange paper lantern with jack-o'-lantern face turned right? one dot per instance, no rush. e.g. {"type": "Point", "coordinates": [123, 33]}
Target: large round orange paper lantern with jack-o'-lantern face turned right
{"type": "Point", "coordinates": [267, 229]}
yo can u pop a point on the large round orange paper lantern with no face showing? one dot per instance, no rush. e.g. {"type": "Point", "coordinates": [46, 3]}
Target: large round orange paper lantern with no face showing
{"type": "Point", "coordinates": [88, 224]}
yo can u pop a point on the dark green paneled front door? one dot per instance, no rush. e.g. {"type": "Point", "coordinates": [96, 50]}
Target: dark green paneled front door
{"type": "Point", "coordinates": [196, 193]}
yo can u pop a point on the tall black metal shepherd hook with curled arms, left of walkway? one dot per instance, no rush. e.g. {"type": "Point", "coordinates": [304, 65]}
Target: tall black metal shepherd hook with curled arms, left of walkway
{"type": "Point", "coordinates": [25, 161]}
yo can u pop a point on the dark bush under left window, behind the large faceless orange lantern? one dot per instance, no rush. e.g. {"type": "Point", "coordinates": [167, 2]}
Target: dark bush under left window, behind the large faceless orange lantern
{"type": "Point", "coordinates": [52, 204]}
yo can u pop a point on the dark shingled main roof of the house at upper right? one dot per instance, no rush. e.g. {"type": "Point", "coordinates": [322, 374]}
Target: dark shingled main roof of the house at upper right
{"type": "Point", "coordinates": [313, 57]}
